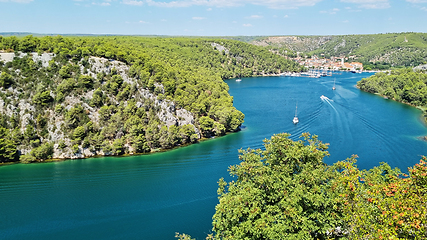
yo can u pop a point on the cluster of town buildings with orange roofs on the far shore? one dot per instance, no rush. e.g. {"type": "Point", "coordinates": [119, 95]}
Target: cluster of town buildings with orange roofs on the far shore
{"type": "Point", "coordinates": [334, 63]}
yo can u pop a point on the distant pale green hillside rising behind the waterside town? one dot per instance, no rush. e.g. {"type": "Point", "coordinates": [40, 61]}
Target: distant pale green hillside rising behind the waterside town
{"type": "Point", "coordinates": [394, 49]}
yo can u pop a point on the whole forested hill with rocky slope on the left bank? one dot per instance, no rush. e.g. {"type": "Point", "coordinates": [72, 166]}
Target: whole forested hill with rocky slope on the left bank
{"type": "Point", "coordinates": [73, 97]}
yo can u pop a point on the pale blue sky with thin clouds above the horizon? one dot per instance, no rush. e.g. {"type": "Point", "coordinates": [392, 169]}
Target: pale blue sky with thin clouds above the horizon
{"type": "Point", "coordinates": [213, 17]}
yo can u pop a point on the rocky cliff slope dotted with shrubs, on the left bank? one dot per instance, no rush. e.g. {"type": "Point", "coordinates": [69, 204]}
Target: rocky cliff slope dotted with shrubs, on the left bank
{"type": "Point", "coordinates": [52, 122]}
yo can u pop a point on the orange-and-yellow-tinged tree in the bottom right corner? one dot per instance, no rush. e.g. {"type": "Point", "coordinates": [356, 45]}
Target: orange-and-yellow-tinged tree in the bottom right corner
{"type": "Point", "coordinates": [383, 203]}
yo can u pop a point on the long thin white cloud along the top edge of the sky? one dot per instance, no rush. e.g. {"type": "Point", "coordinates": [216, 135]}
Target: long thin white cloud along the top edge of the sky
{"type": "Point", "coordinates": [275, 4]}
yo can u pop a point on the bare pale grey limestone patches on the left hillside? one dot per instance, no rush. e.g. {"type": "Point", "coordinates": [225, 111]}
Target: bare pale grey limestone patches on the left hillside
{"type": "Point", "coordinates": [26, 110]}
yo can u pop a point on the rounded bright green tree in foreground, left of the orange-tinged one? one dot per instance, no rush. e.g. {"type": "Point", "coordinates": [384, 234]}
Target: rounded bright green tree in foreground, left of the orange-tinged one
{"type": "Point", "coordinates": [279, 193]}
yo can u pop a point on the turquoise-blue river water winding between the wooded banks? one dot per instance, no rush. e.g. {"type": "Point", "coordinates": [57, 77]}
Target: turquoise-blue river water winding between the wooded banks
{"type": "Point", "coordinates": [154, 196]}
